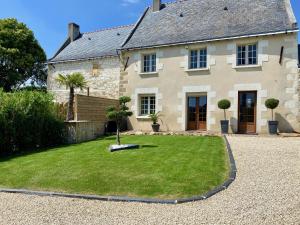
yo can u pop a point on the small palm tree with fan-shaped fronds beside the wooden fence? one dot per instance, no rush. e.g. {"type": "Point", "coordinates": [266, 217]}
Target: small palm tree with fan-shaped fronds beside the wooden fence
{"type": "Point", "coordinates": [71, 81]}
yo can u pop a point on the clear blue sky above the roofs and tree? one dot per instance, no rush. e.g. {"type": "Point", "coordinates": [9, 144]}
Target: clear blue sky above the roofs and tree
{"type": "Point", "coordinates": [49, 19]}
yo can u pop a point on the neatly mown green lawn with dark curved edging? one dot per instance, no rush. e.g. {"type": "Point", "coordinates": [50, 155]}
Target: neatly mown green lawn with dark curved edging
{"type": "Point", "coordinates": [164, 167]}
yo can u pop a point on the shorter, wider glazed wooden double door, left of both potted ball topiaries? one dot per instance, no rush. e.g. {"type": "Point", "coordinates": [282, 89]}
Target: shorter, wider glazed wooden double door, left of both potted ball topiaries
{"type": "Point", "coordinates": [197, 113]}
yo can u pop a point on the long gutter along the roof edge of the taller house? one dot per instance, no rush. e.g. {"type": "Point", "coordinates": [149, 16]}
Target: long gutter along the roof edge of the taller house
{"type": "Point", "coordinates": [214, 39]}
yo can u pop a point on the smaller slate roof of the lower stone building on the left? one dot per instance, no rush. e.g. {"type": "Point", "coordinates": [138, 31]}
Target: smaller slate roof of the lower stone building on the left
{"type": "Point", "coordinates": [102, 43]}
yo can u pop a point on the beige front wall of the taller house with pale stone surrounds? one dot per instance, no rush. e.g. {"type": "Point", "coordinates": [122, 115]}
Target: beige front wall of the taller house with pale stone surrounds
{"type": "Point", "coordinates": [173, 82]}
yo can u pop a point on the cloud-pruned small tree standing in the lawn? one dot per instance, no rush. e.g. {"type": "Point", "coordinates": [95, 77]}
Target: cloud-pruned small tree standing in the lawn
{"type": "Point", "coordinates": [119, 113]}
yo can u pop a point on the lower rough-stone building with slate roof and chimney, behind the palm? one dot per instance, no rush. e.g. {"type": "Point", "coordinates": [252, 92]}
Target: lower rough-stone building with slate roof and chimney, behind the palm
{"type": "Point", "coordinates": [93, 54]}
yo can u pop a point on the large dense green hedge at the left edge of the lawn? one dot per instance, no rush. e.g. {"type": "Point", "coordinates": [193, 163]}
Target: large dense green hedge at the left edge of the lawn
{"type": "Point", "coordinates": [28, 121]}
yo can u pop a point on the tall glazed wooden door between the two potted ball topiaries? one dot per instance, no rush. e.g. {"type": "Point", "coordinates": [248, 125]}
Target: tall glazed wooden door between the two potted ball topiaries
{"type": "Point", "coordinates": [247, 112]}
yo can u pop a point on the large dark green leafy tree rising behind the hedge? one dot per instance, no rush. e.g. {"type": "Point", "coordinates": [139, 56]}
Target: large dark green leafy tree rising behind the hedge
{"type": "Point", "coordinates": [21, 56]}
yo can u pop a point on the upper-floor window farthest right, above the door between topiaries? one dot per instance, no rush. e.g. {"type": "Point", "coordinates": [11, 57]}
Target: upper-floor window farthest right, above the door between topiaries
{"type": "Point", "coordinates": [247, 55]}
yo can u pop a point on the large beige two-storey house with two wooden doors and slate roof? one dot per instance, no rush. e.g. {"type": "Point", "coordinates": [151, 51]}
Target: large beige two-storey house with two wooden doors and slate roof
{"type": "Point", "coordinates": [182, 57]}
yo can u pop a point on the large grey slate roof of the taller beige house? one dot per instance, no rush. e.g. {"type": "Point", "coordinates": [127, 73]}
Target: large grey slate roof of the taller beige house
{"type": "Point", "coordinates": [203, 20]}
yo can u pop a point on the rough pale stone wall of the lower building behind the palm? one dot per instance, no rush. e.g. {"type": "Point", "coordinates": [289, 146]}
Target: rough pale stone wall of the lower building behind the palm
{"type": "Point", "coordinates": [102, 76]}
